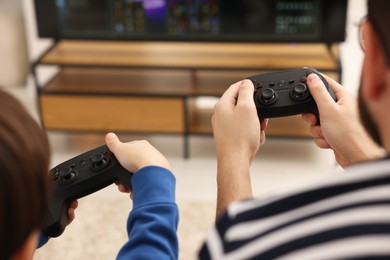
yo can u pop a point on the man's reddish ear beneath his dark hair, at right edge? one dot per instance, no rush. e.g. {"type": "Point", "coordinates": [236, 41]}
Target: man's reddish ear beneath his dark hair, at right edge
{"type": "Point", "coordinates": [374, 67]}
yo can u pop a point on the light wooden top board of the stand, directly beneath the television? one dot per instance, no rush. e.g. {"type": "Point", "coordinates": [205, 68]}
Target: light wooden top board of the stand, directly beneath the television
{"type": "Point", "coordinates": [200, 55]}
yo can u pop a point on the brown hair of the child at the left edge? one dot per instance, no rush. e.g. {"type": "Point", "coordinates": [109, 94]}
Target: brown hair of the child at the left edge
{"type": "Point", "coordinates": [24, 162]}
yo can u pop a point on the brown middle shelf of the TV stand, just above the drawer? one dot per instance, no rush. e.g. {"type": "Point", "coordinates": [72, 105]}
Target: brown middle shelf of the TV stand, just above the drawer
{"type": "Point", "coordinates": [150, 82]}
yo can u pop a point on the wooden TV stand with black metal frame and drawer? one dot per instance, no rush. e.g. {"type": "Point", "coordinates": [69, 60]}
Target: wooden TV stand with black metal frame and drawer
{"type": "Point", "coordinates": [153, 87]}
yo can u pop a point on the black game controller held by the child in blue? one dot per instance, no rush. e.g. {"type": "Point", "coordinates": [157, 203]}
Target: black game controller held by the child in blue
{"type": "Point", "coordinates": [79, 177]}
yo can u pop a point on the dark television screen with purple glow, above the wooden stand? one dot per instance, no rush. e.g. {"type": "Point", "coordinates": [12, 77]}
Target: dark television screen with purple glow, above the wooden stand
{"type": "Point", "coordinates": [194, 20]}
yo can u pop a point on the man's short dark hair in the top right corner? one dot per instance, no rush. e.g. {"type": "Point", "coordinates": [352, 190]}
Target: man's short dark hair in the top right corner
{"type": "Point", "coordinates": [378, 14]}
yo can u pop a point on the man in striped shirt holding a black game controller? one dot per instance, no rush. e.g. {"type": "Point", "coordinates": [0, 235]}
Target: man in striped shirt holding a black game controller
{"type": "Point", "coordinates": [344, 217]}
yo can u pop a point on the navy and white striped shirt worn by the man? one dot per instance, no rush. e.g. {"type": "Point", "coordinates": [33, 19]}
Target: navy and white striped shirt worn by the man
{"type": "Point", "coordinates": [343, 217]}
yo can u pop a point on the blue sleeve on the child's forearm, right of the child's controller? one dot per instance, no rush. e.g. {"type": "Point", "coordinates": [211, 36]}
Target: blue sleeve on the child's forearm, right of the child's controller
{"type": "Point", "coordinates": [152, 224]}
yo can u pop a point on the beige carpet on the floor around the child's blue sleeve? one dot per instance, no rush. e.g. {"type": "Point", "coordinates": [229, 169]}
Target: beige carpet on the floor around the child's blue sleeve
{"type": "Point", "coordinates": [98, 231]}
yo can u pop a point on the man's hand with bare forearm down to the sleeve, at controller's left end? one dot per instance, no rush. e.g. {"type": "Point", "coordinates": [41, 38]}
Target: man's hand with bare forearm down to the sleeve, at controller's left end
{"type": "Point", "coordinates": [238, 134]}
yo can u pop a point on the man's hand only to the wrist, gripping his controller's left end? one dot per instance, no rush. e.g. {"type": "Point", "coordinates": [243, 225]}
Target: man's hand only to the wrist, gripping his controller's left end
{"type": "Point", "coordinates": [238, 134]}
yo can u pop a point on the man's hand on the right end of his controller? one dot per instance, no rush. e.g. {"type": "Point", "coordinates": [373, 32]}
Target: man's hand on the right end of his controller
{"type": "Point", "coordinates": [340, 128]}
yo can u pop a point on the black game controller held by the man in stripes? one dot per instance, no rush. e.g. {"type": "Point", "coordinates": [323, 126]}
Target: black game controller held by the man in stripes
{"type": "Point", "coordinates": [285, 93]}
